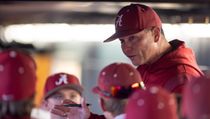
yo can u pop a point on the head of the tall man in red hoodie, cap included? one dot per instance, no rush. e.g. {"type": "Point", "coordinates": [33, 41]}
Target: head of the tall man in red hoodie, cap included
{"type": "Point", "coordinates": [139, 29]}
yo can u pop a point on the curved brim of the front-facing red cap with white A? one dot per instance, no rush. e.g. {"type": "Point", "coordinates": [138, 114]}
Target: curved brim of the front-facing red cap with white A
{"type": "Point", "coordinates": [70, 86]}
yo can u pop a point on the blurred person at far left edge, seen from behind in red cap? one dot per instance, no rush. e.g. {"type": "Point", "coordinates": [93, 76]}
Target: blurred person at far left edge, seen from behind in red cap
{"type": "Point", "coordinates": [17, 84]}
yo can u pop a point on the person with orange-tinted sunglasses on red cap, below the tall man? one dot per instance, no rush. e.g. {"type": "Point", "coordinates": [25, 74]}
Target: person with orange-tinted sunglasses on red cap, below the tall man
{"type": "Point", "coordinates": [116, 82]}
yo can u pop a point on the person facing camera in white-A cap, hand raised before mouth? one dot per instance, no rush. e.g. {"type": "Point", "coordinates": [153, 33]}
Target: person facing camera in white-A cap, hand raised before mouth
{"type": "Point", "coordinates": [64, 99]}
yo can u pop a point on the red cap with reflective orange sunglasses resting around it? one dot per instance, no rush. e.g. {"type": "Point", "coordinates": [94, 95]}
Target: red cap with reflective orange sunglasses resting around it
{"type": "Point", "coordinates": [117, 76]}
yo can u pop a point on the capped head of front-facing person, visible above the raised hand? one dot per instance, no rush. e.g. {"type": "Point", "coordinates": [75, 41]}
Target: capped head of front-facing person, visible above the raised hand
{"type": "Point", "coordinates": [62, 86]}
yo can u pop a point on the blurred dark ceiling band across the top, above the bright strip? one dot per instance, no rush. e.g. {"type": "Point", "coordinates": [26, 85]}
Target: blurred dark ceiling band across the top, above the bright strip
{"type": "Point", "coordinates": [95, 12]}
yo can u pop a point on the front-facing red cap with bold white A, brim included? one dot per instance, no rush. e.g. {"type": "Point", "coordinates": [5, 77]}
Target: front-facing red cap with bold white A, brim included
{"type": "Point", "coordinates": [59, 81]}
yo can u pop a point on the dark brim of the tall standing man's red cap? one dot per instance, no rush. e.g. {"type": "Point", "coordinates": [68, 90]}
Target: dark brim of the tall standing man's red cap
{"type": "Point", "coordinates": [121, 34]}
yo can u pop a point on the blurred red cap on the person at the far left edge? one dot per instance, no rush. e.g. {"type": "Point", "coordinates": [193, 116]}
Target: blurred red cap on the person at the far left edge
{"type": "Point", "coordinates": [17, 75]}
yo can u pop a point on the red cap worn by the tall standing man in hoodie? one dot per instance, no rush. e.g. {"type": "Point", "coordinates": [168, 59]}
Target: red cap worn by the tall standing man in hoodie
{"type": "Point", "coordinates": [134, 18]}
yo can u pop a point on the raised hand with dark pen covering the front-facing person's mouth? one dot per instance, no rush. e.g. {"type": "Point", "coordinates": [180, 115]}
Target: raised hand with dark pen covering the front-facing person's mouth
{"type": "Point", "coordinates": [63, 112]}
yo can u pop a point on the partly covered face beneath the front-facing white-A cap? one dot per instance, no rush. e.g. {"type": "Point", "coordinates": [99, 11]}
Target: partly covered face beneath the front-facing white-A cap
{"type": "Point", "coordinates": [63, 94]}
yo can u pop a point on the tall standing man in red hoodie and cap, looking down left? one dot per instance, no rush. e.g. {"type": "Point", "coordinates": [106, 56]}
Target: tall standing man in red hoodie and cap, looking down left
{"type": "Point", "coordinates": [166, 64]}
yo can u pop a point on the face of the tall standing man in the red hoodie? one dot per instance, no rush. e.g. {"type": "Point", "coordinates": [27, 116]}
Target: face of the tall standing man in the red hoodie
{"type": "Point", "coordinates": [140, 47]}
